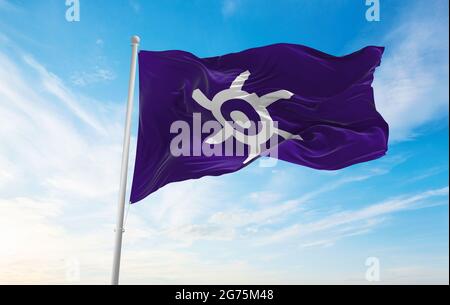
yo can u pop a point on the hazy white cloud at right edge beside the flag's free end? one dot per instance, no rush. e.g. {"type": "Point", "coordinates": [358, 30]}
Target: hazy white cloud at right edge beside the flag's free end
{"type": "Point", "coordinates": [411, 86]}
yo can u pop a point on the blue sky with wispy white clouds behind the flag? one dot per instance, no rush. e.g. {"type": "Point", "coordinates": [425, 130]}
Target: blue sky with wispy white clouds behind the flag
{"type": "Point", "coordinates": [63, 89]}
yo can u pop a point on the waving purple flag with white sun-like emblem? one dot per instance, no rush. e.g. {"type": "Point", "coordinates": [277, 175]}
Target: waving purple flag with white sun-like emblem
{"type": "Point", "coordinates": [211, 116]}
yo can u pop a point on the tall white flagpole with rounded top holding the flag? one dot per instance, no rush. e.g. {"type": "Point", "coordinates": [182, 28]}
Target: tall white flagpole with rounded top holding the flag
{"type": "Point", "coordinates": [135, 40]}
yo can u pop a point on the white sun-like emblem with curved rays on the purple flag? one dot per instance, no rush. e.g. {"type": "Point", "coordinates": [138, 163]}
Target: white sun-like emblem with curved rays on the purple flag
{"type": "Point", "coordinates": [259, 104]}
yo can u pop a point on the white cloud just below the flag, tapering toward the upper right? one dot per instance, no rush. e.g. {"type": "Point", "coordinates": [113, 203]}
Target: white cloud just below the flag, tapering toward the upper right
{"type": "Point", "coordinates": [197, 218]}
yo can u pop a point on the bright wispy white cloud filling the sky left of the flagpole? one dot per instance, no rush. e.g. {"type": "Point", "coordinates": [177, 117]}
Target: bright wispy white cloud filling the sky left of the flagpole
{"type": "Point", "coordinates": [56, 159]}
